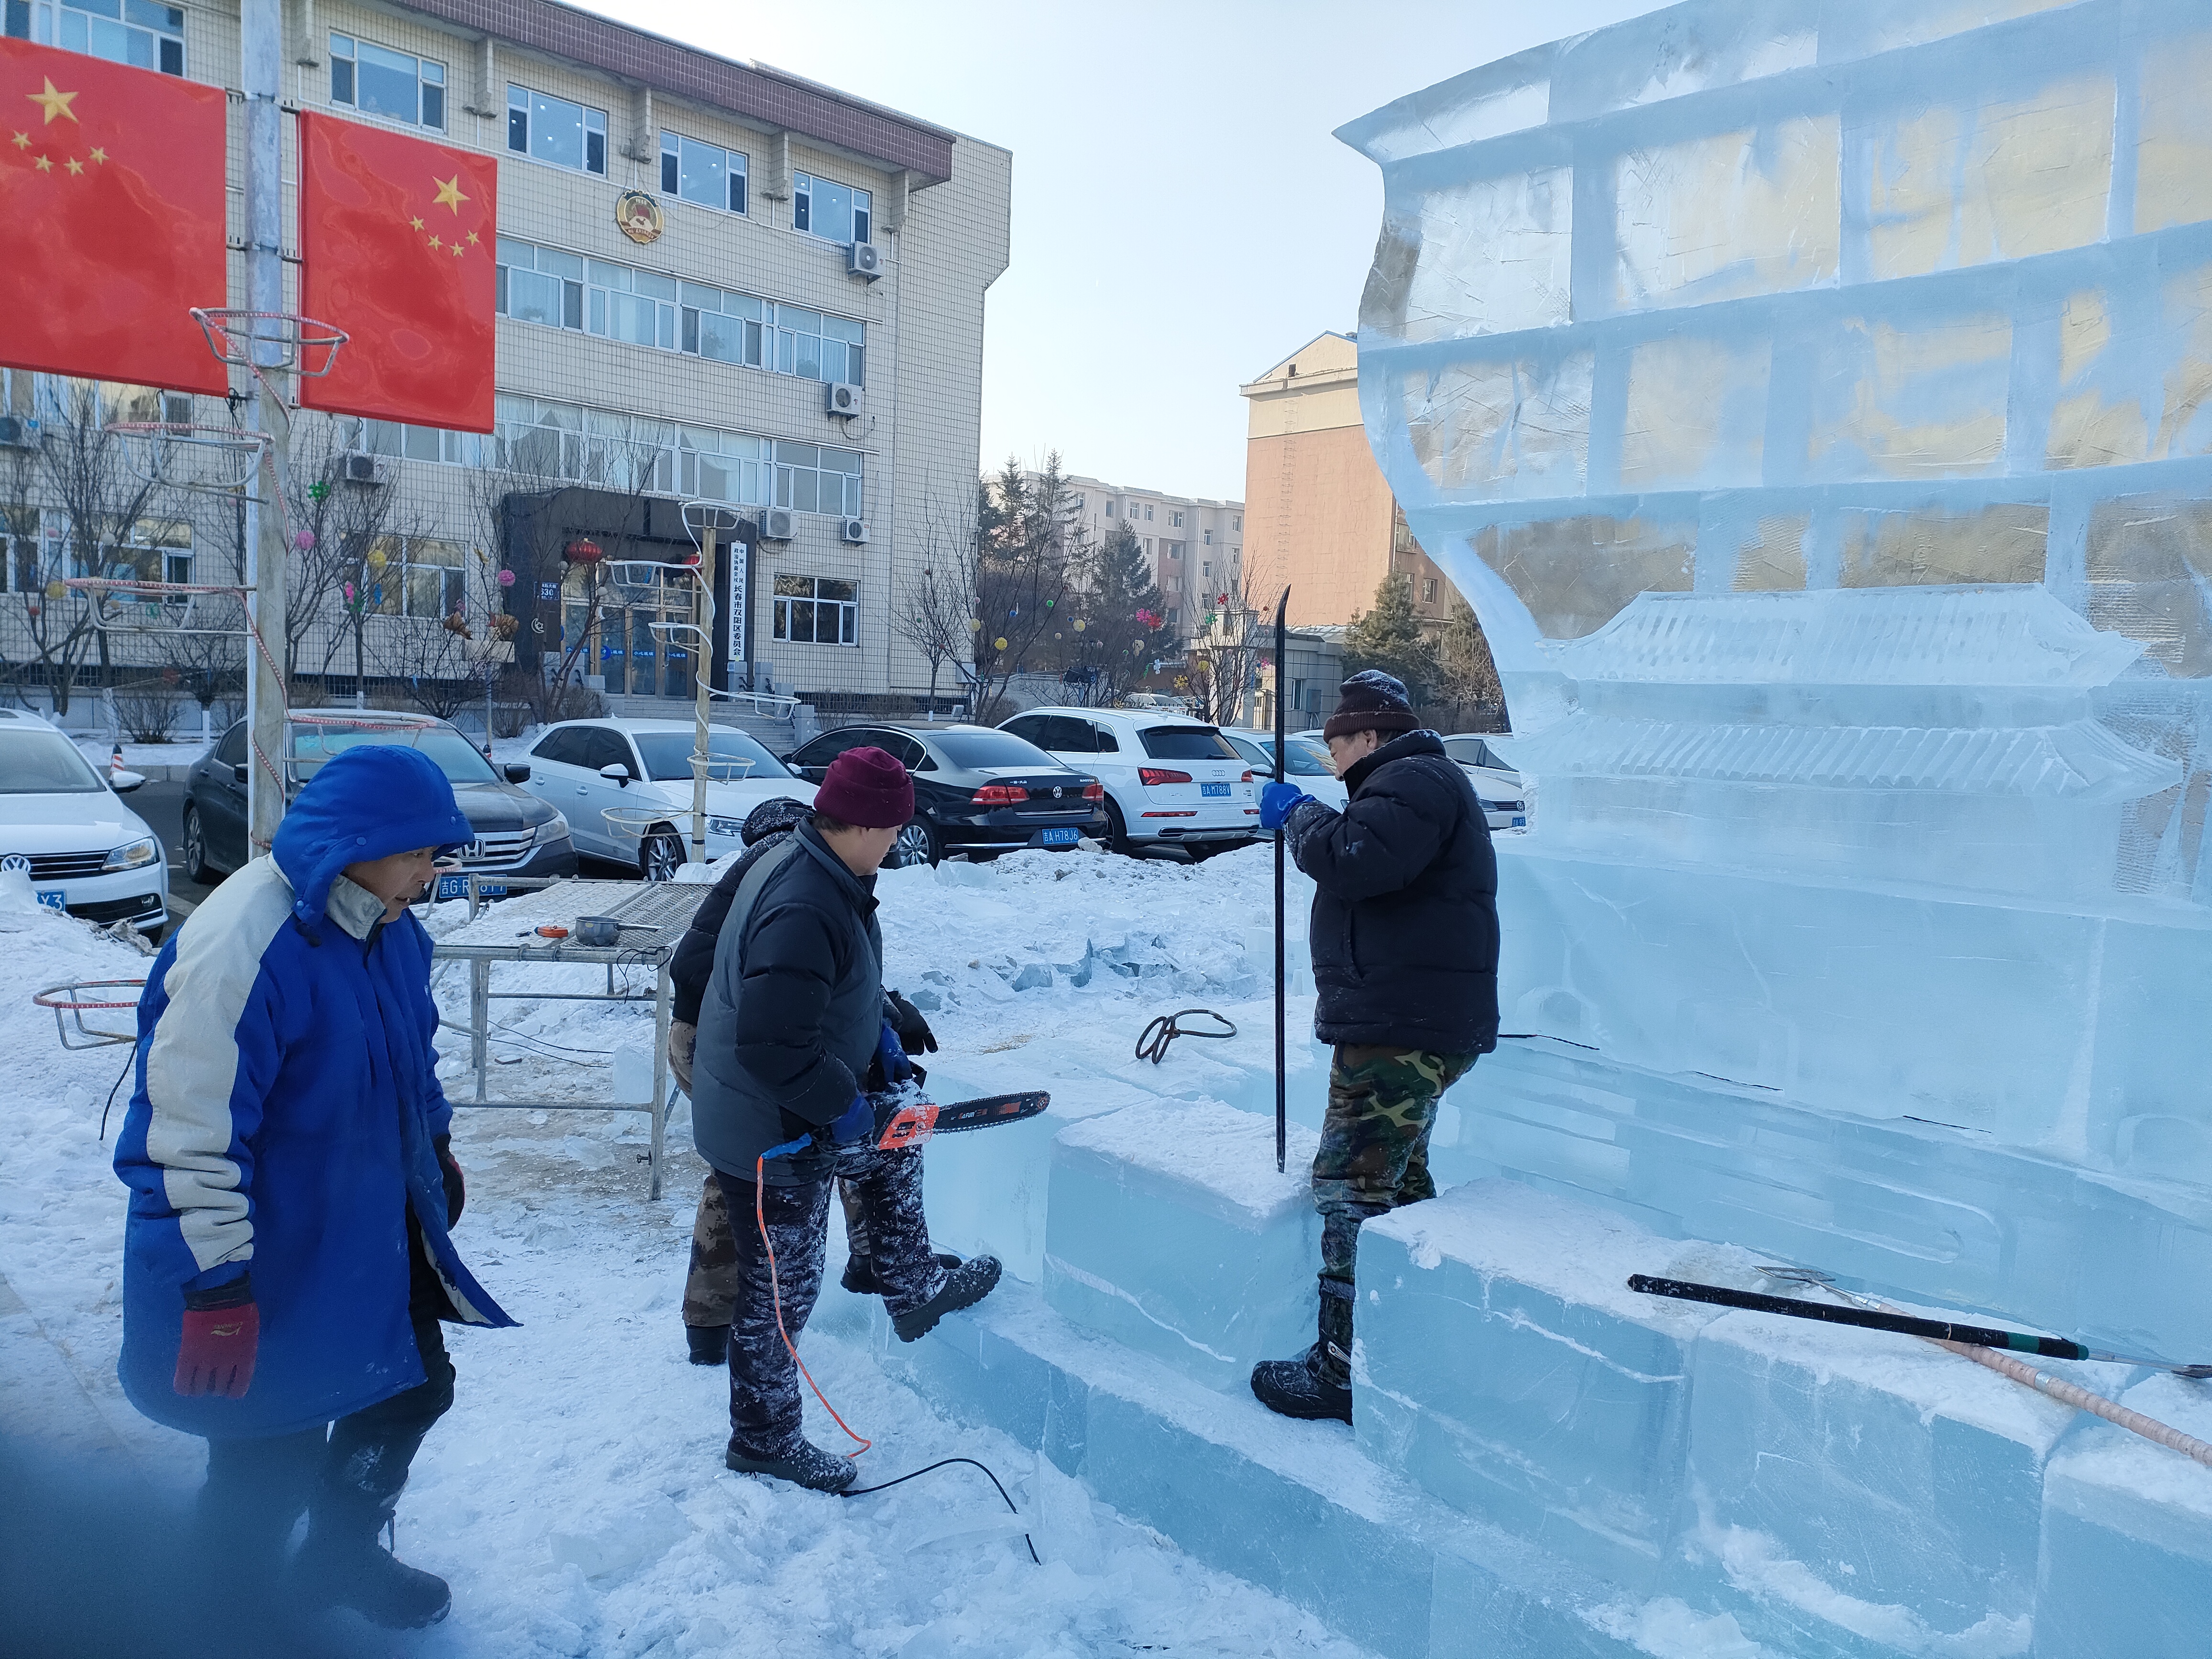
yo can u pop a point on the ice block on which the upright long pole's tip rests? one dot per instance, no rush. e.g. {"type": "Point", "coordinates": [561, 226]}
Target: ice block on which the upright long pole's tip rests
{"type": "Point", "coordinates": [1173, 1233]}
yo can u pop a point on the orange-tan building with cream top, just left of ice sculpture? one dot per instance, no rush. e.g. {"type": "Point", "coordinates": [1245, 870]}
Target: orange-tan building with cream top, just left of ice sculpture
{"type": "Point", "coordinates": [1322, 514]}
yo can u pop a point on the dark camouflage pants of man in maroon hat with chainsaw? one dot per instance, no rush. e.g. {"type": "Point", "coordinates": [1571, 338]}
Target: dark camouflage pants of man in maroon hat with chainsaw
{"type": "Point", "coordinates": [764, 1379]}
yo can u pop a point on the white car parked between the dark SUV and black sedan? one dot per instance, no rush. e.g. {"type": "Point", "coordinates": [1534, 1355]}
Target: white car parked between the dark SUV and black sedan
{"type": "Point", "coordinates": [627, 789]}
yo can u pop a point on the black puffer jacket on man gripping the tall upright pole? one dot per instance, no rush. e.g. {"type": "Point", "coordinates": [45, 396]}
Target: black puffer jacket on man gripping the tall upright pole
{"type": "Point", "coordinates": [1406, 906]}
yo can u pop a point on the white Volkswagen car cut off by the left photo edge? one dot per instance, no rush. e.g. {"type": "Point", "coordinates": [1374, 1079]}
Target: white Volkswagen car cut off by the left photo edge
{"type": "Point", "coordinates": [63, 826]}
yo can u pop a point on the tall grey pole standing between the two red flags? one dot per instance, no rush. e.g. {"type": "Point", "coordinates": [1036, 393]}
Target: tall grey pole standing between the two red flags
{"type": "Point", "coordinates": [262, 79]}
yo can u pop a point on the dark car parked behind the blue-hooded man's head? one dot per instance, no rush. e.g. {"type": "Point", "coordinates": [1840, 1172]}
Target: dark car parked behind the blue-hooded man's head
{"type": "Point", "coordinates": [517, 833]}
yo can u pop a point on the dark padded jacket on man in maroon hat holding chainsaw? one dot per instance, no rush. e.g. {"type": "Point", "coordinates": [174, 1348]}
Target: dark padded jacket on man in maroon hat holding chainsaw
{"type": "Point", "coordinates": [791, 1014]}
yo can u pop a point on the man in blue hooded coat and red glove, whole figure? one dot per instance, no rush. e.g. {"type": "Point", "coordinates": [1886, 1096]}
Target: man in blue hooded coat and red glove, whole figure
{"type": "Point", "coordinates": [289, 1251]}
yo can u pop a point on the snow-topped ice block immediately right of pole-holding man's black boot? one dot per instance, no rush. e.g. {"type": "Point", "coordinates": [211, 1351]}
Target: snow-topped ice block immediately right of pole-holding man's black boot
{"type": "Point", "coordinates": [1505, 1366]}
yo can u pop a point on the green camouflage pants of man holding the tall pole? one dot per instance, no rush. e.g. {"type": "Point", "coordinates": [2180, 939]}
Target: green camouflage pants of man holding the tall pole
{"type": "Point", "coordinates": [1375, 1145]}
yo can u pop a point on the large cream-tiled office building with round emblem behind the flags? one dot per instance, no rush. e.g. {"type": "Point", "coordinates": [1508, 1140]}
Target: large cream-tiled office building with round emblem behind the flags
{"type": "Point", "coordinates": [713, 282]}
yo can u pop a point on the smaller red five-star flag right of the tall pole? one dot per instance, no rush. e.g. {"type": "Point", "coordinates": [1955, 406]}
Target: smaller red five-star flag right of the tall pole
{"type": "Point", "coordinates": [397, 244]}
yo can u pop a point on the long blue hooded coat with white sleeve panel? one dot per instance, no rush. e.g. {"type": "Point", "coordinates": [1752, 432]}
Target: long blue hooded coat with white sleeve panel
{"type": "Point", "coordinates": [286, 1116]}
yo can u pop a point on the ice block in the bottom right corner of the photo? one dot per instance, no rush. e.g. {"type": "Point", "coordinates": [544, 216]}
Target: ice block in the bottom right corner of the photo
{"type": "Point", "coordinates": [2127, 1565]}
